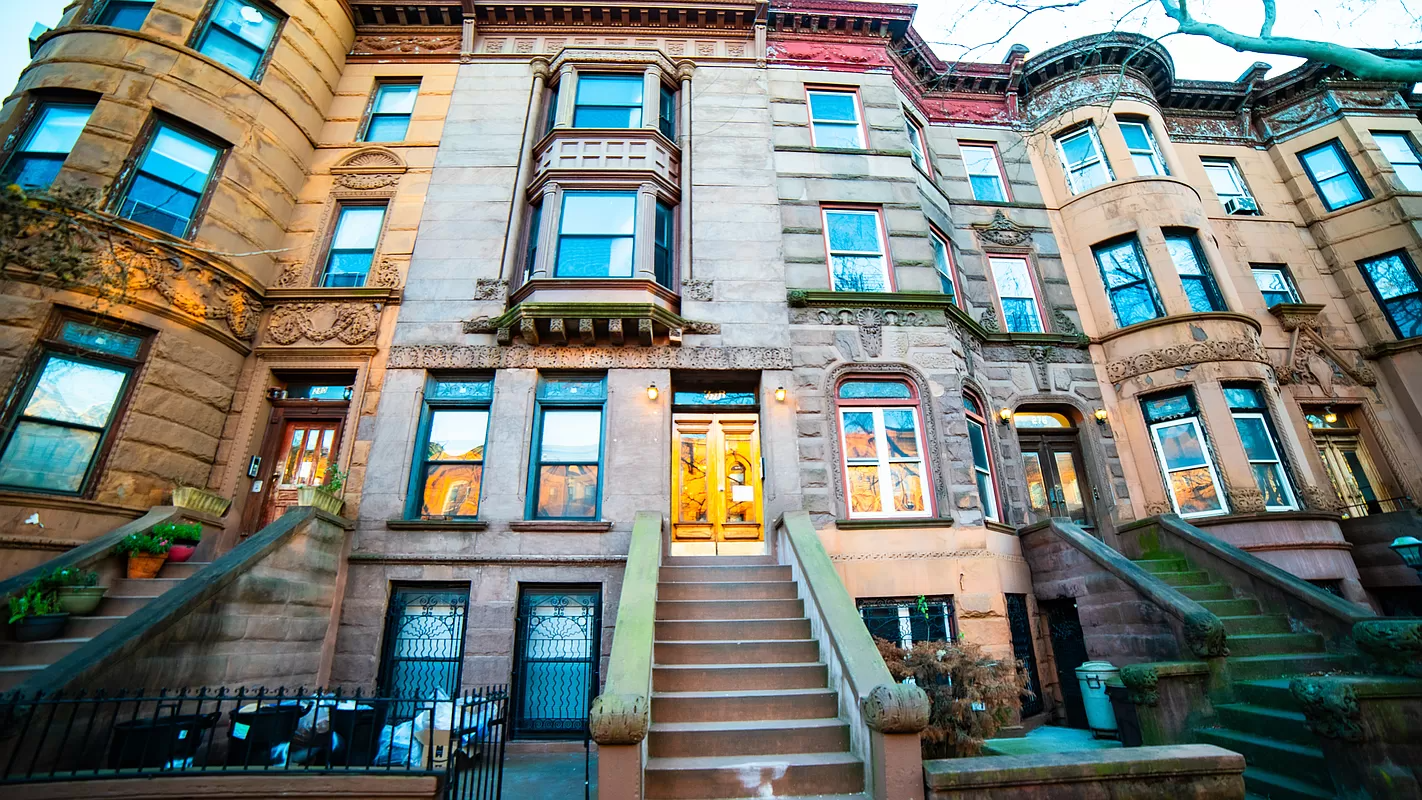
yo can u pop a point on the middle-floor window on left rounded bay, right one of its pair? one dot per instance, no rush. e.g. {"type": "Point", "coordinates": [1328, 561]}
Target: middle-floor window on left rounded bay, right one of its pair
{"type": "Point", "coordinates": [171, 181]}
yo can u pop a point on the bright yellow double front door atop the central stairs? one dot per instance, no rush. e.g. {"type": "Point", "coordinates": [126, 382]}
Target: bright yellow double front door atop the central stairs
{"type": "Point", "coordinates": [716, 480]}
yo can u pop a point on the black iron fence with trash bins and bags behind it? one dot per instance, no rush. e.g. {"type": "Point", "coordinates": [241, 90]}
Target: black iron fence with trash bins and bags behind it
{"type": "Point", "coordinates": [460, 741]}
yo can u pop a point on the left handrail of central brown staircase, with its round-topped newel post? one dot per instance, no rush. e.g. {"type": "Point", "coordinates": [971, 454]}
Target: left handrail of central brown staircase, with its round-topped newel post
{"type": "Point", "coordinates": [621, 717]}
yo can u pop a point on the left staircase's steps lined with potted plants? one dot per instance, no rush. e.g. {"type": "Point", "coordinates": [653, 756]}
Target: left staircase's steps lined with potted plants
{"type": "Point", "coordinates": [21, 661]}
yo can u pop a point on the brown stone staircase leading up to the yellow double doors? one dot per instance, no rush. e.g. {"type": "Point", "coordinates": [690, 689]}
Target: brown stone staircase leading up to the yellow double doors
{"type": "Point", "coordinates": [740, 704]}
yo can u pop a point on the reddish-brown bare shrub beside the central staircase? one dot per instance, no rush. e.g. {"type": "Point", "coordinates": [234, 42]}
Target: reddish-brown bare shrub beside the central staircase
{"type": "Point", "coordinates": [956, 677]}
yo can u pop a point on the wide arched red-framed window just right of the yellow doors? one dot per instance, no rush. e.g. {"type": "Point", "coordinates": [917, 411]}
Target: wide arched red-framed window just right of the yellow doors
{"type": "Point", "coordinates": [881, 433]}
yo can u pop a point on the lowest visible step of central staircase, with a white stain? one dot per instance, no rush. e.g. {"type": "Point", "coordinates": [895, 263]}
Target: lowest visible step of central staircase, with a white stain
{"type": "Point", "coordinates": [761, 777]}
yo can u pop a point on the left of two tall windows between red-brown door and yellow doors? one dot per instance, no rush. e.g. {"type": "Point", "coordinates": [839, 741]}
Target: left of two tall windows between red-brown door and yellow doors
{"type": "Point", "coordinates": [450, 451]}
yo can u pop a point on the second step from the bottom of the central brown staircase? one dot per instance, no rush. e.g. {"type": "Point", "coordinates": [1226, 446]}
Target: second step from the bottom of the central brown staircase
{"type": "Point", "coordinates": [753, 738]}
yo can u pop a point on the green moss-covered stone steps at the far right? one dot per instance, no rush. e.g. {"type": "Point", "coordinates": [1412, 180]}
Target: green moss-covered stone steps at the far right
{"type": "Point", "coordinates": [1283, 758]}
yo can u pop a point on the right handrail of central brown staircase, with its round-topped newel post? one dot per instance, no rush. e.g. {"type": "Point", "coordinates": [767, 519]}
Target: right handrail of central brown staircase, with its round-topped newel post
{"type": "Point", "coordinates": [885, 717]}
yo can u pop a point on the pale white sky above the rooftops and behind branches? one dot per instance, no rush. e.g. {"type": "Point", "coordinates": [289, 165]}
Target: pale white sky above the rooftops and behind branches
{"type": "Point", "coordinates": [955, 28]}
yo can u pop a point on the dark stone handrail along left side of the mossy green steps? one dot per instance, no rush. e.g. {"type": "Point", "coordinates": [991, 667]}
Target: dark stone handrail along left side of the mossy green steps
{"type": "Point", "coordinates": [1202, 630]}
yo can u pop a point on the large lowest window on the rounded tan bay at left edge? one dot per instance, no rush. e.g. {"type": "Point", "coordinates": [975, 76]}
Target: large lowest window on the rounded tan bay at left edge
{"type": "Point", "coordinates": [69, 404]}
